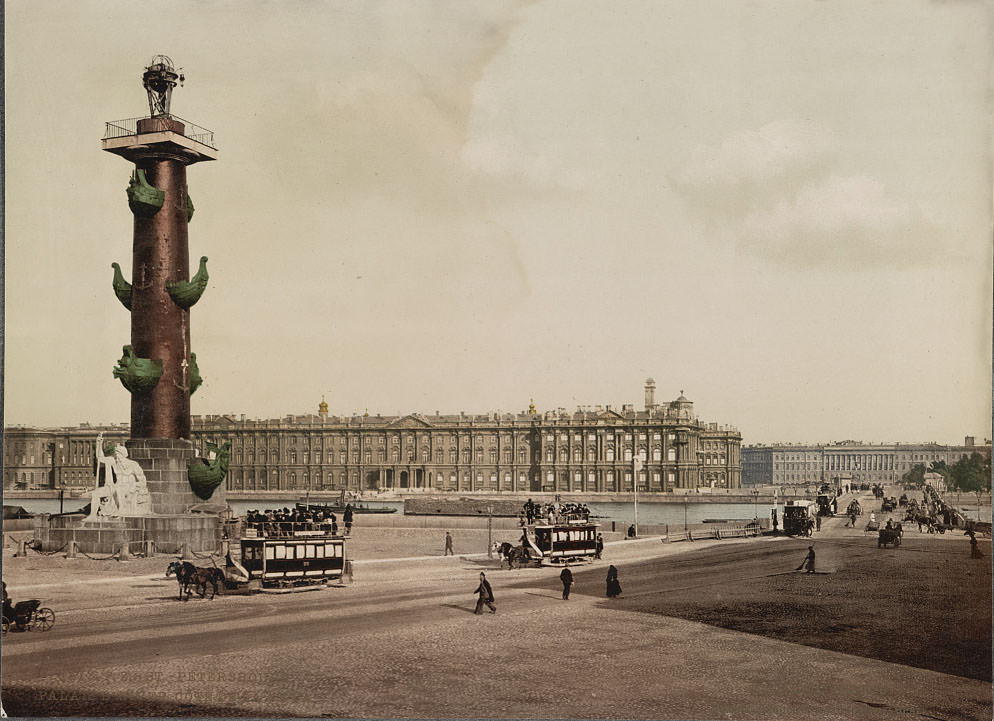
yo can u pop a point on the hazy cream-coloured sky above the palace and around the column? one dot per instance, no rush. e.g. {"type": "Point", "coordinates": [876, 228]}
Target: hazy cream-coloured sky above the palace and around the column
{"type": "Point", "coordinates": [781, 209]}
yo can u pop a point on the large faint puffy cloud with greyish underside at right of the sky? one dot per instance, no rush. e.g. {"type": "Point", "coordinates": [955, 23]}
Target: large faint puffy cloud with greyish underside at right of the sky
{"type": "Point", "coordinates": [780, 192]}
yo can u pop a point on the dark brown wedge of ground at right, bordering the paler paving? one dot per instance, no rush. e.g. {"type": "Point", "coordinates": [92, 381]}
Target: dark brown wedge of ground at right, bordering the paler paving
{"type": "Point", "coordinates": [926, 604]}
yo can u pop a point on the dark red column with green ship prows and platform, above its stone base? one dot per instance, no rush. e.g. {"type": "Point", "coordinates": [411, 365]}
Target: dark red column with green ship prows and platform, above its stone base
{"type": "Point", "coordinates": [158, 367]}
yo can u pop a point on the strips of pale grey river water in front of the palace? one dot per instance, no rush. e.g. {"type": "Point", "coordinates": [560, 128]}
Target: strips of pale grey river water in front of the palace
{"type": "Point", "coordinates": [651, 513]}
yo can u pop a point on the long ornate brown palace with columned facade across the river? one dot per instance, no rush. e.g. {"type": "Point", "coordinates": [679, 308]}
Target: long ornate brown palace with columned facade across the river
{"type": "Point", "coordinates": [589, 450]}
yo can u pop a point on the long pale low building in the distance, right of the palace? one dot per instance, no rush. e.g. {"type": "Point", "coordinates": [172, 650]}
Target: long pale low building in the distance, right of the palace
{"type": "Point", "coordinates": [850, 461]}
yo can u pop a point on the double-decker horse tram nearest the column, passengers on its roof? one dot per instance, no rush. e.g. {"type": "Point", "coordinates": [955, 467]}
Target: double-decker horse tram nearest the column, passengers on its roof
{"type": "Point", "coordinates": [285, 554]}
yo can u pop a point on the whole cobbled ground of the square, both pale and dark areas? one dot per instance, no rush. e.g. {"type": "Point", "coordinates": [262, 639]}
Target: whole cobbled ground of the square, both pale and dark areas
{"type": "Point", "coordinates": [709, 629]}
